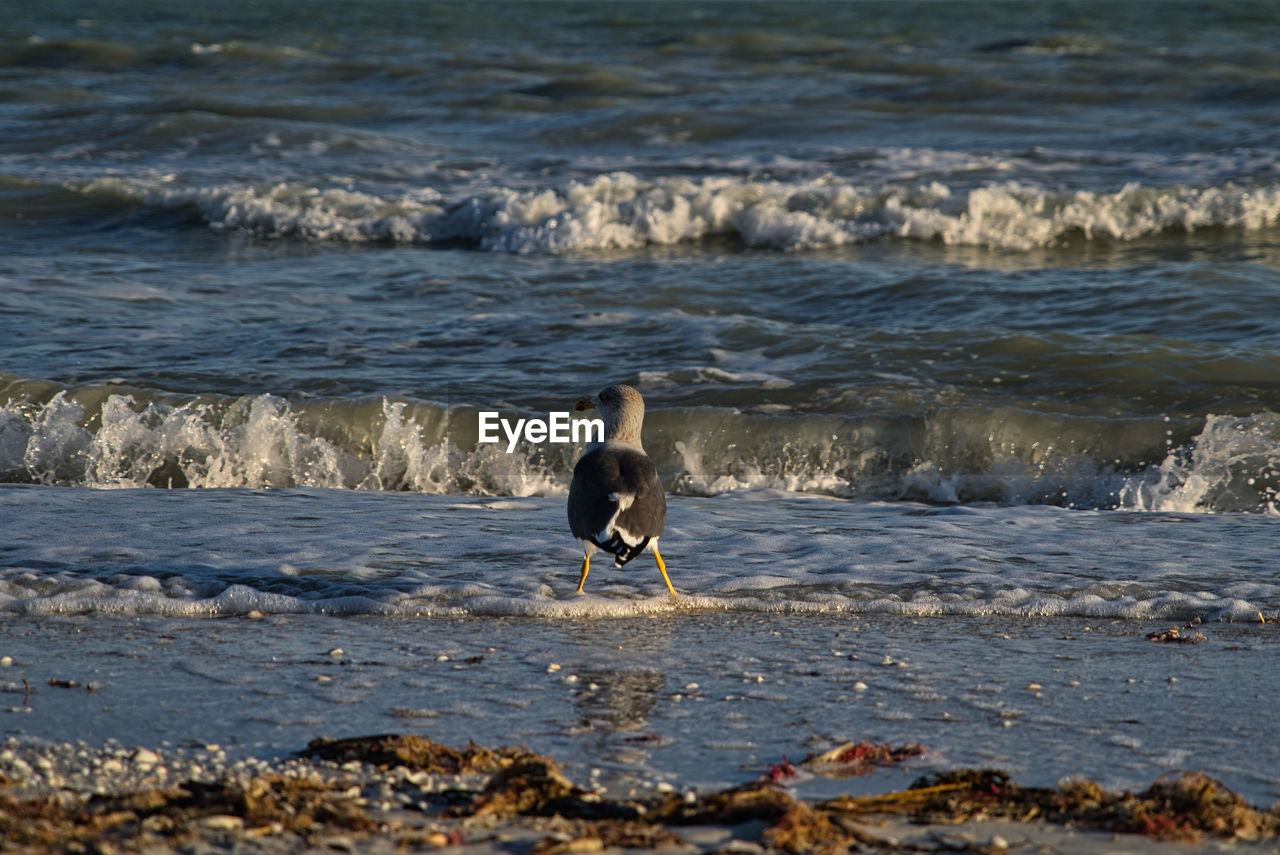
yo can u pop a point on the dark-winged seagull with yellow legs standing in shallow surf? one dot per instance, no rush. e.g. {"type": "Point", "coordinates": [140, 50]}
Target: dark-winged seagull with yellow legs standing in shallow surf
{"type": "Point", "coordinates": [616, 501]}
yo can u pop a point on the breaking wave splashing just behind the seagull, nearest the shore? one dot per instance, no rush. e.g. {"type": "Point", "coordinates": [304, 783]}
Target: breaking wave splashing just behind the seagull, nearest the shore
{"type": "Point", "coordinates": [98, 437]}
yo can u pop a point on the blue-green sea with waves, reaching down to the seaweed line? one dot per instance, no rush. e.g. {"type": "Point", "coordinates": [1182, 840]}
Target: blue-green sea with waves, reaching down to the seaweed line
{"type": "Point", "coordinates": [958, 327]}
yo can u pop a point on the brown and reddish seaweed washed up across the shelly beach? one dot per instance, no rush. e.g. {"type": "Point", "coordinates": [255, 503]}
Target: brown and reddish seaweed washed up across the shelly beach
{"type": "Point", "coordinates": [308, 803]}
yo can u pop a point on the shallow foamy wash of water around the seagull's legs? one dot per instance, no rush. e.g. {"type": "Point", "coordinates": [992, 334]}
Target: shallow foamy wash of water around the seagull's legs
{"type": "Point", "coordinates": [314, 551]}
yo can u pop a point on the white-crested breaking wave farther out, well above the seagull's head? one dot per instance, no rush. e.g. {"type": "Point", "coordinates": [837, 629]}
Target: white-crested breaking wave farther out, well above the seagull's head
{"type": "Point", "coordinates": [624, 212]}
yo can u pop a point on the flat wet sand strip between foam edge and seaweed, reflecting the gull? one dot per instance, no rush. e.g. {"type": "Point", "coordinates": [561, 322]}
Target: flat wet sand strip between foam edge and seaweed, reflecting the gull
{"type": "Point", "coordinates": [636, 706]}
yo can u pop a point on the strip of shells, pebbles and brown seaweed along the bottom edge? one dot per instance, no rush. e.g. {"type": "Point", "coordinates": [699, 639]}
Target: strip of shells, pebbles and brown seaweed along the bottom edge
{"type": "Point", "coordinates": [395, 794]}
